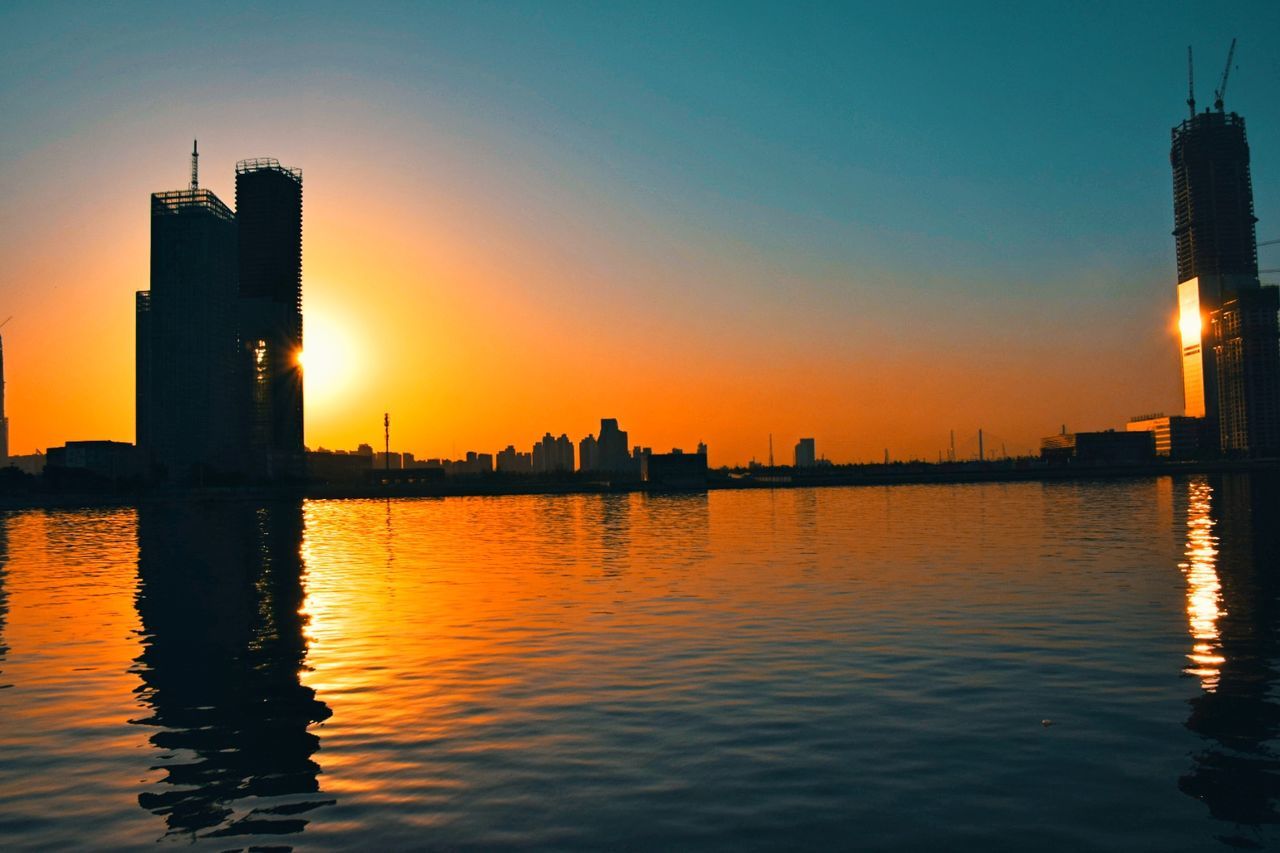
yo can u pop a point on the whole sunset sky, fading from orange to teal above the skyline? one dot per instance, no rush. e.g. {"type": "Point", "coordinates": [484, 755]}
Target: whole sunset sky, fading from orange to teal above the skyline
{"type": "Point", "coordinates": [867, 223]}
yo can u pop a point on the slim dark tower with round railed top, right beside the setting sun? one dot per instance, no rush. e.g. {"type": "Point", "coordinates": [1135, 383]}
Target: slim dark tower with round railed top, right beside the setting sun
{"type": "Point", "coordinates": [269, 220]}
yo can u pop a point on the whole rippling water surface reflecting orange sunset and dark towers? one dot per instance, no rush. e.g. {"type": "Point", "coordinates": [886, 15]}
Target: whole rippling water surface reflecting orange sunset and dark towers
{"type": "Point", "coordinates": [852, 668]}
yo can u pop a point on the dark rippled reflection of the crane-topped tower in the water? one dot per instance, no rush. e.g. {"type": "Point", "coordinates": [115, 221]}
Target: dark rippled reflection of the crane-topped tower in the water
{"type": "Point", "coordinates": [1237, 774]}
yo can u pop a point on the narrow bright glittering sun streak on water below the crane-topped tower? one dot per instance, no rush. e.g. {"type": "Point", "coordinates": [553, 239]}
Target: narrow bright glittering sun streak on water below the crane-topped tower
{"type": "Point", "coordinates": [1204, 591]}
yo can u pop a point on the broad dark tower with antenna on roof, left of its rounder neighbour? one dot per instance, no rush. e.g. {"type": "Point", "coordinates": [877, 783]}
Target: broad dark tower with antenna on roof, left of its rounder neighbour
{"type": "Point", "coordinates": [186, 339]}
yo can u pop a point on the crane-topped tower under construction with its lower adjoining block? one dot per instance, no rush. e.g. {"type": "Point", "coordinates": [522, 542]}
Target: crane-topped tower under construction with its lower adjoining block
{"type": "Point", "coordinates": [1231, 363]}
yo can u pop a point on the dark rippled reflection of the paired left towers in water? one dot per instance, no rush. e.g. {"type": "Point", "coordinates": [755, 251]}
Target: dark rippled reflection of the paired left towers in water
{"type": "Point", "coordinates": [220, 596]}
